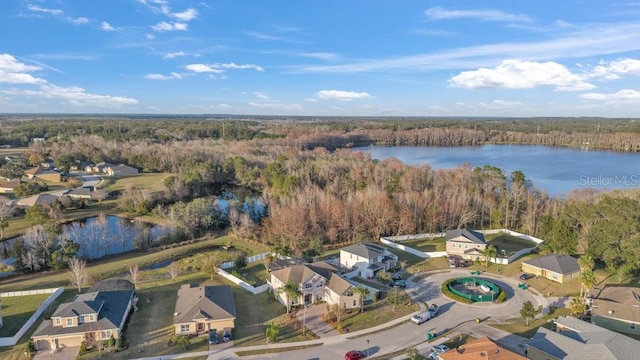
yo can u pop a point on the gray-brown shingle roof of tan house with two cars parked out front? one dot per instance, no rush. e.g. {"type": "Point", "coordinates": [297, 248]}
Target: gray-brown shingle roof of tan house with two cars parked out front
{"type": "Point", "coordinates": [204, 302]}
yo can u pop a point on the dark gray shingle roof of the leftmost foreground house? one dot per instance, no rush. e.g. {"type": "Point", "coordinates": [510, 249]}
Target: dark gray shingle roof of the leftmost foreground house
{"type": "Point", "coordinates": [111, 304]}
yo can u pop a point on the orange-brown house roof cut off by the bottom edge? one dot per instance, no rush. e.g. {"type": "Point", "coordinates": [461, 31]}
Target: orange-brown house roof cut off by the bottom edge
{"type": "Point", "coordinates": [482, 348]}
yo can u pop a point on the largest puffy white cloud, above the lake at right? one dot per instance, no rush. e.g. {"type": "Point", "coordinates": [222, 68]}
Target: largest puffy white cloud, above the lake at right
{"type": "Point", "coordinates": [518, 74]}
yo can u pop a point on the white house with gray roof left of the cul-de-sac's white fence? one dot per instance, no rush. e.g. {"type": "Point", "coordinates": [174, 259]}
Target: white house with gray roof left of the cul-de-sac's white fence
{"type": "Point", "coordinates": [368, 258]}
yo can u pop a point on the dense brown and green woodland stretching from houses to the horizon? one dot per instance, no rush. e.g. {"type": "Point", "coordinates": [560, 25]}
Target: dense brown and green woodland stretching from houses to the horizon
{"type": "Point", "coordinates": [319, 194]}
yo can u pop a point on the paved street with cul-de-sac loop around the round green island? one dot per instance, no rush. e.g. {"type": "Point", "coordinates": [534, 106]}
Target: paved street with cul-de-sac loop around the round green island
{"type": "Point", "coordinates": [401, 334]}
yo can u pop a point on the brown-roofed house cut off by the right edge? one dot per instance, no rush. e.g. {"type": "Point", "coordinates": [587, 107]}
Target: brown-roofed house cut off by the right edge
{"type": "Point", "coordinates": [617, 308]}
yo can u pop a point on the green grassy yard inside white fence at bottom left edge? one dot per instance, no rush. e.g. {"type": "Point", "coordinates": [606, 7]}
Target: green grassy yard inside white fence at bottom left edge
{"type": "Point", "coordinates": [16, 310]}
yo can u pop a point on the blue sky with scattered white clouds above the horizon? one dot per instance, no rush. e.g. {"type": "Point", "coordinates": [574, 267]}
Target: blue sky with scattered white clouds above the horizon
{"type": "Point", "coordinates": [321, 58]}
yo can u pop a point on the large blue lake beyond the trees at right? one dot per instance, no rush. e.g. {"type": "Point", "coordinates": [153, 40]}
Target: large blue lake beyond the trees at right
{"type": "Point", "coordinates": [557, 170]}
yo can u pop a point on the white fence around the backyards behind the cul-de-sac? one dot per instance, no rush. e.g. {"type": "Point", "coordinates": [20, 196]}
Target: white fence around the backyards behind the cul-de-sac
{"type": "Point", "coordinates": [392, 241]}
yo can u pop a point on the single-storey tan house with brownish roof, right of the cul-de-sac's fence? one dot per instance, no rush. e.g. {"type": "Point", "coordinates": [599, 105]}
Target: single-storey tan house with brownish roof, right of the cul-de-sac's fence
{"type": "Point", "coordinates": [559, 268]}
